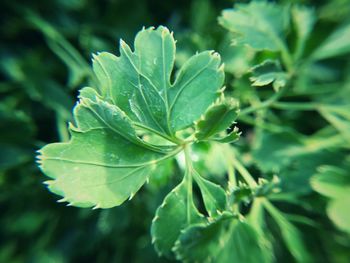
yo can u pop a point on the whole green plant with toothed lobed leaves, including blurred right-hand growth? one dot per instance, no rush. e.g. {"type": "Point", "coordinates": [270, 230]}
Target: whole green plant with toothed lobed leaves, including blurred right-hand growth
{"type": "Point", "coordinates": [143, 114]}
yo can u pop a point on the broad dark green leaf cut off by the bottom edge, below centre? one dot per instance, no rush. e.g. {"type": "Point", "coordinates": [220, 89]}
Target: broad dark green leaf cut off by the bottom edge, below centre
{"type": "Point", "coordinates": [225, 240]}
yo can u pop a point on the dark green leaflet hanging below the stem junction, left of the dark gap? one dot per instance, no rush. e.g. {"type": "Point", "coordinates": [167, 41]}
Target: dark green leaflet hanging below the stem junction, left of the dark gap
{"type": "Point", "coordinates": [175, 214]}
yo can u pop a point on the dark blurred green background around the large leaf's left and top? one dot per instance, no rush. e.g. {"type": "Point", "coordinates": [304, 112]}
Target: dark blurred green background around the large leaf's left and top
{"type": "Point", "coordinates": [45, 55]}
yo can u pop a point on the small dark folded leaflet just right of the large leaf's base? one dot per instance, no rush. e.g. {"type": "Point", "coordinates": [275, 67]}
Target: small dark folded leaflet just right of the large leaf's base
{"type": "Point", "coordinates": [219, 117]}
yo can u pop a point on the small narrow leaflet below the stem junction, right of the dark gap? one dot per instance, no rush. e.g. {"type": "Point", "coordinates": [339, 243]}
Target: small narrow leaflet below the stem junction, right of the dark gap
{"type": "Point", "coordinates": [213, 195]}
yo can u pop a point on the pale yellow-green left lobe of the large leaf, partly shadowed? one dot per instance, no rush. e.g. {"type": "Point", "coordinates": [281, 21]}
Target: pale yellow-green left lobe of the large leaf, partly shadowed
{"type": "Point", "coordinates": [104, 163]}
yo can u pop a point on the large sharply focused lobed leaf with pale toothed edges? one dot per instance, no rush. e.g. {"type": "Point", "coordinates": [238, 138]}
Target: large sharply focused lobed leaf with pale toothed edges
{"type": "Point", "coordinates": [106, 162]}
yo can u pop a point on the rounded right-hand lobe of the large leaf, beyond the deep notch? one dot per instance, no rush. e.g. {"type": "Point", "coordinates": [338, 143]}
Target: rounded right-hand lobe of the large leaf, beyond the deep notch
{"type": "Point", "coordinates": [196, 87]}
